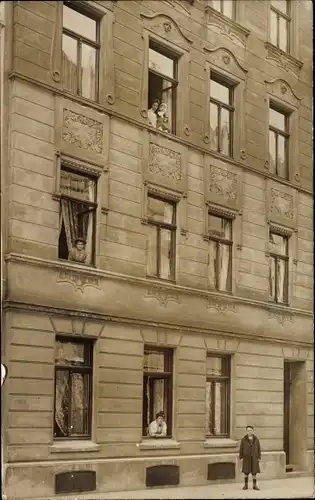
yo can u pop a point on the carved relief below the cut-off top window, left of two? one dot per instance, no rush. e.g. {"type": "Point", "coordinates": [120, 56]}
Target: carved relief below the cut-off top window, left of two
{"type": "Point", "coordinates": [226, 26]}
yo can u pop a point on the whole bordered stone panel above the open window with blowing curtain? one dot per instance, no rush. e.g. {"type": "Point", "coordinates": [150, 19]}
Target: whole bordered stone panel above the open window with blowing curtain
{"type": "Point", "coordinates": [82, 132]}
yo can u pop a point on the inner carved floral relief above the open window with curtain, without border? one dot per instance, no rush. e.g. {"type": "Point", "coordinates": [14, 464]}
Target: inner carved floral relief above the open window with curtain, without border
{"type": "Point", "coordinates": [82, 131]}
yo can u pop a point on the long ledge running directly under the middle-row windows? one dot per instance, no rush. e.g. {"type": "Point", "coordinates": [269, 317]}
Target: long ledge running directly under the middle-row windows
{"type": "Point", "coordinates": [173, 288]}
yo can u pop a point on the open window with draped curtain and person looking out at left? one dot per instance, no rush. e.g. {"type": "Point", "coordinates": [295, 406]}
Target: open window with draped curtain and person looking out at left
{"type": "Point", "coordinates": [77, 217]}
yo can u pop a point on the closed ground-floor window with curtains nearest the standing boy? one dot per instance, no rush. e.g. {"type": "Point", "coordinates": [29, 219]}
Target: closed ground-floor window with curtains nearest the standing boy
{"type": "Point", "coordinates": [218, 396]}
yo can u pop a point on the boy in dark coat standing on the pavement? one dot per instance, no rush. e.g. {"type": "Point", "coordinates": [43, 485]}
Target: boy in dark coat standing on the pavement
{"type": "Point", "coordinates": [250, 454]}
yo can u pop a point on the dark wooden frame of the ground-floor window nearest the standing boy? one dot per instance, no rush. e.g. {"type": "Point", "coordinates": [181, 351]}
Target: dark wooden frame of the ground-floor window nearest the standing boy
{"type": "Point", "coordinates": [220, 378]}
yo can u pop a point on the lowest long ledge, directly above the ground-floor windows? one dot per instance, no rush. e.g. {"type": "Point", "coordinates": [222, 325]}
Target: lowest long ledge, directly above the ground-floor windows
{"type": "Point", "coordinates": [23, 306]}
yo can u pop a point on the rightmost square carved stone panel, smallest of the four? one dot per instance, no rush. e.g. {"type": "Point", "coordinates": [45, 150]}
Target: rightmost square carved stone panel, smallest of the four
{"type": "Point", "coordinates": [281, 204]}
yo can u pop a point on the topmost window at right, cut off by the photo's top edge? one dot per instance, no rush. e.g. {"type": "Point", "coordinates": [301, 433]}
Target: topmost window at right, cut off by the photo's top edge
{"type": "Point", "coordinates": [280, 24]}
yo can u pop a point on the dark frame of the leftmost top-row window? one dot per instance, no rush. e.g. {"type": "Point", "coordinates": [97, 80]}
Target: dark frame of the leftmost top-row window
{"type": "Point", "coordinates": [82, 39]}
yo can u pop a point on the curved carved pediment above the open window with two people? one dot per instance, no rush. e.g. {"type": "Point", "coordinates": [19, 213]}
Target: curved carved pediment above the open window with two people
{"type": "Point", "coordinates": [164, 26]}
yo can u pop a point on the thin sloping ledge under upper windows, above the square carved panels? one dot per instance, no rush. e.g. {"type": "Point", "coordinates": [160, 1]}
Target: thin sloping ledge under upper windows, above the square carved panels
{"type": "Point", "coordinates": [144, 126]}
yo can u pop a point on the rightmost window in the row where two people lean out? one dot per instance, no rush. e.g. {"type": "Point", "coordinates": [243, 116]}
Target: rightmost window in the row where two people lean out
{"type": "Point", "coordinates": [278, 142]}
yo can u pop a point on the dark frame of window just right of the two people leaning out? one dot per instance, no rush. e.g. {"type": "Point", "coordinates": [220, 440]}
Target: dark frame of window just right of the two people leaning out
{"type": "Point", "coordinates": [229, 107]}
